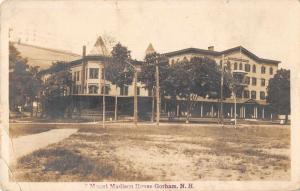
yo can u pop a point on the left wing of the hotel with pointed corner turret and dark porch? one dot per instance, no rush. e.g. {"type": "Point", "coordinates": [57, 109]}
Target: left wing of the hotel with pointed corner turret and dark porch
{"type": "Point", "coordinates": [90, 85]}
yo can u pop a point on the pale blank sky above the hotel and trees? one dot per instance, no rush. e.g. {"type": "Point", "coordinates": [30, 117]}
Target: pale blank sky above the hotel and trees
{"type": "Point", "coordinates": [268, 28]}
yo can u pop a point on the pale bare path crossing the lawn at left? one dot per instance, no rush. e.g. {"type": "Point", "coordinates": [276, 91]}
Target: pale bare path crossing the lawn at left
{"type": "Point", "coordinates": [24, 145]}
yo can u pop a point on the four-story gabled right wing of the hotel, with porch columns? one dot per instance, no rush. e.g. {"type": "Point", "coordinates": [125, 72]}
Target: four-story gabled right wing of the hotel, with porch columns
{"type": "Point", "coordinates": [252, 100]}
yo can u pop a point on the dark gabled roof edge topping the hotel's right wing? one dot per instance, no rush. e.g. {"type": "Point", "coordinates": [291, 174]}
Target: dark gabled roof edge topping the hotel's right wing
{"type": "Point", "coordinates": [219, 53]}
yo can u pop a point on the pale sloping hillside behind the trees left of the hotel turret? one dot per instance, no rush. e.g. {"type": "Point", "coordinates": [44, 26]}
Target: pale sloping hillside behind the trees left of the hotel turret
{"type": "Point", "coordinates": [43, 57]}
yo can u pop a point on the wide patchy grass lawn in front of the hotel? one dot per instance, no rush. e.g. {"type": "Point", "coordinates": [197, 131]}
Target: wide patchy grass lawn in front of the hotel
{"type": "Point", "coordinates": [167, 153]}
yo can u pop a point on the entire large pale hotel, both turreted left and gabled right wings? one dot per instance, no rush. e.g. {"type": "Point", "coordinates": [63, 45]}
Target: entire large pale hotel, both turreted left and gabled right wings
{"type": "Point", "coordinates": [90, 85]}
